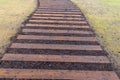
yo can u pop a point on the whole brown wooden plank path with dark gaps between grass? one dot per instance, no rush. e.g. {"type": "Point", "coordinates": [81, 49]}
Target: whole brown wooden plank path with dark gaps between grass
{"type": "Point", "coordinates": [56, 43]}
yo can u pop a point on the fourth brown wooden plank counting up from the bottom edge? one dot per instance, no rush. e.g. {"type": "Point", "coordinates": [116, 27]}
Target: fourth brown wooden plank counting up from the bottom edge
{"type": "Point", "coordinates": [34, 37]}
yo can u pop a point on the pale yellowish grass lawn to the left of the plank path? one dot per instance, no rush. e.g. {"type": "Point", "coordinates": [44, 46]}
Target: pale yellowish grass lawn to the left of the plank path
{"type": "Point", "coordinates": [12, 14]}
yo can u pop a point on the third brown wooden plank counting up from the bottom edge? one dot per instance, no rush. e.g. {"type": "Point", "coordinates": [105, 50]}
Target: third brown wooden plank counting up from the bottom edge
{"type": "Point", "coordinates": [55, 46]}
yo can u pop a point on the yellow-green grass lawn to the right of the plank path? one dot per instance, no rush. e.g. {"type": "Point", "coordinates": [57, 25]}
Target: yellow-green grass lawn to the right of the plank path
{"type": "Point", "coordinates": [104, 16]}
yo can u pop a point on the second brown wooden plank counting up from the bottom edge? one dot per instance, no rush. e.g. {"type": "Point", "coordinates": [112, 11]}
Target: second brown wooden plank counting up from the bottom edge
{"type": "Point", "coordinates": [55, 58]}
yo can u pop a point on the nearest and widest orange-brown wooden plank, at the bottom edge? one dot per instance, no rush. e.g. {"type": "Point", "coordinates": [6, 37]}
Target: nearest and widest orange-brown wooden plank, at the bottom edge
{"type": "Point", "coordinates": [57, 74]}
